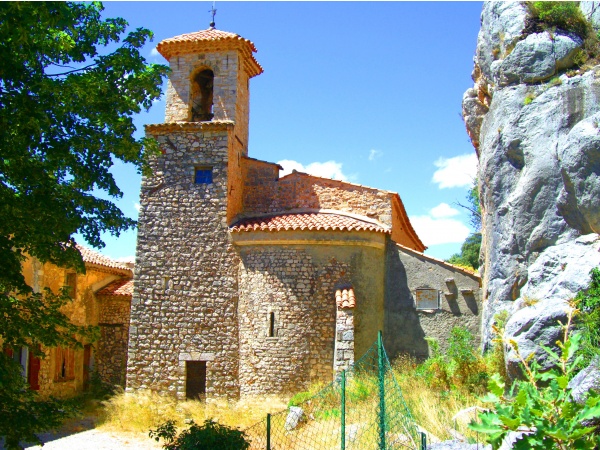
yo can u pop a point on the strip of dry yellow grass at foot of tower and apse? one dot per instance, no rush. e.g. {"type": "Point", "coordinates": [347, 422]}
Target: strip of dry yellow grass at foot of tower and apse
{"type": "Point", "coordinates": [145, 410]}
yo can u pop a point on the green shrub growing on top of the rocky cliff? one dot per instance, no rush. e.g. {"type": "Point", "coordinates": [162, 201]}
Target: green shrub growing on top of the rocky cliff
{"type": "Point", "coordinates": [564, 15]}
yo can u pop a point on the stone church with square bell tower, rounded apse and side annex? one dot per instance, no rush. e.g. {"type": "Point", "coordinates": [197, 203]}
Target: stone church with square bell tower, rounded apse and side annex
{"type": "Point", "coordinates": [247, 283]}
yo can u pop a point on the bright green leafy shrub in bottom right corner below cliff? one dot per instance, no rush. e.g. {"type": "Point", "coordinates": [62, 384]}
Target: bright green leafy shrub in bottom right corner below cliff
{"type": "Point", "coordinates": [542, 406]}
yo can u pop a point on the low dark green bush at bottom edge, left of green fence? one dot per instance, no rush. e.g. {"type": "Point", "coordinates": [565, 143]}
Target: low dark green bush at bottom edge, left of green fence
{"type": "Point", "coordinates": [210, 436]}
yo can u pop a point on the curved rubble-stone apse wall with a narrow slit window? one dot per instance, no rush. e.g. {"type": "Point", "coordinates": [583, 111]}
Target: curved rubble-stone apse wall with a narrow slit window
{"type": "Point", "coordinates": [287, 282]}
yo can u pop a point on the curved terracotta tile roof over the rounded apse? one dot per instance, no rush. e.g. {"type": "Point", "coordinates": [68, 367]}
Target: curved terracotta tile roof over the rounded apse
{"type": "Point", "coordinates": [307, 221]}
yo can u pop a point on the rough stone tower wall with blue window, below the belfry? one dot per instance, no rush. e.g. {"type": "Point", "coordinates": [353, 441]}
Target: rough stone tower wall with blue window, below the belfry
{"type": "Point", "coordinates": [185, 300]}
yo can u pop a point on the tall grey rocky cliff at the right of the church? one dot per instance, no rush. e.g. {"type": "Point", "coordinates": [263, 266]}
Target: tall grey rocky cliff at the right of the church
{"type": "Point", "coordinates": [534, 119]}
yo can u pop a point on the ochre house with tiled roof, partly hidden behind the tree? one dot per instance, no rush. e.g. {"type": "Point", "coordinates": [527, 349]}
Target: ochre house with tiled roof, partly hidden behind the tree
{"type": "Point", "coordinates": [101, 297]}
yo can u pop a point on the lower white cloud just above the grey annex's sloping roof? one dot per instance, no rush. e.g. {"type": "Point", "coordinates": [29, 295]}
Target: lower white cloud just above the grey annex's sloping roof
{"type": "Point", "coordinates": [437, 228]}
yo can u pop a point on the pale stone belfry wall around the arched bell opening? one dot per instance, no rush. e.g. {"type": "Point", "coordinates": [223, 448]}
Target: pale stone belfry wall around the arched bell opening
{"type": "Point", "coordinates": [225, 66]}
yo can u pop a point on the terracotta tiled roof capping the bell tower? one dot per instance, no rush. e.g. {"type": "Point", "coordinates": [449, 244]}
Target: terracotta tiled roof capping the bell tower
{"type": "Point", "coordinates": [208, 40]}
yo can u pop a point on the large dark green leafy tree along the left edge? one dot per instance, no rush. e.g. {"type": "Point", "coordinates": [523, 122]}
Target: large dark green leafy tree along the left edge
{"type": "Point", "coordinates": [70, 82]}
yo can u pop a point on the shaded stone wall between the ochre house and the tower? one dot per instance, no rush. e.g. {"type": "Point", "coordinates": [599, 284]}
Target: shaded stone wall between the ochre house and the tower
{"type": "Point", "coordinates": [111, 349]}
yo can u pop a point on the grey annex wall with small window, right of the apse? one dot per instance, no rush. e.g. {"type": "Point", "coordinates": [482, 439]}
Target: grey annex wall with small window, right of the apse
{"type": "Point", "coordinates": [406, 327]}
